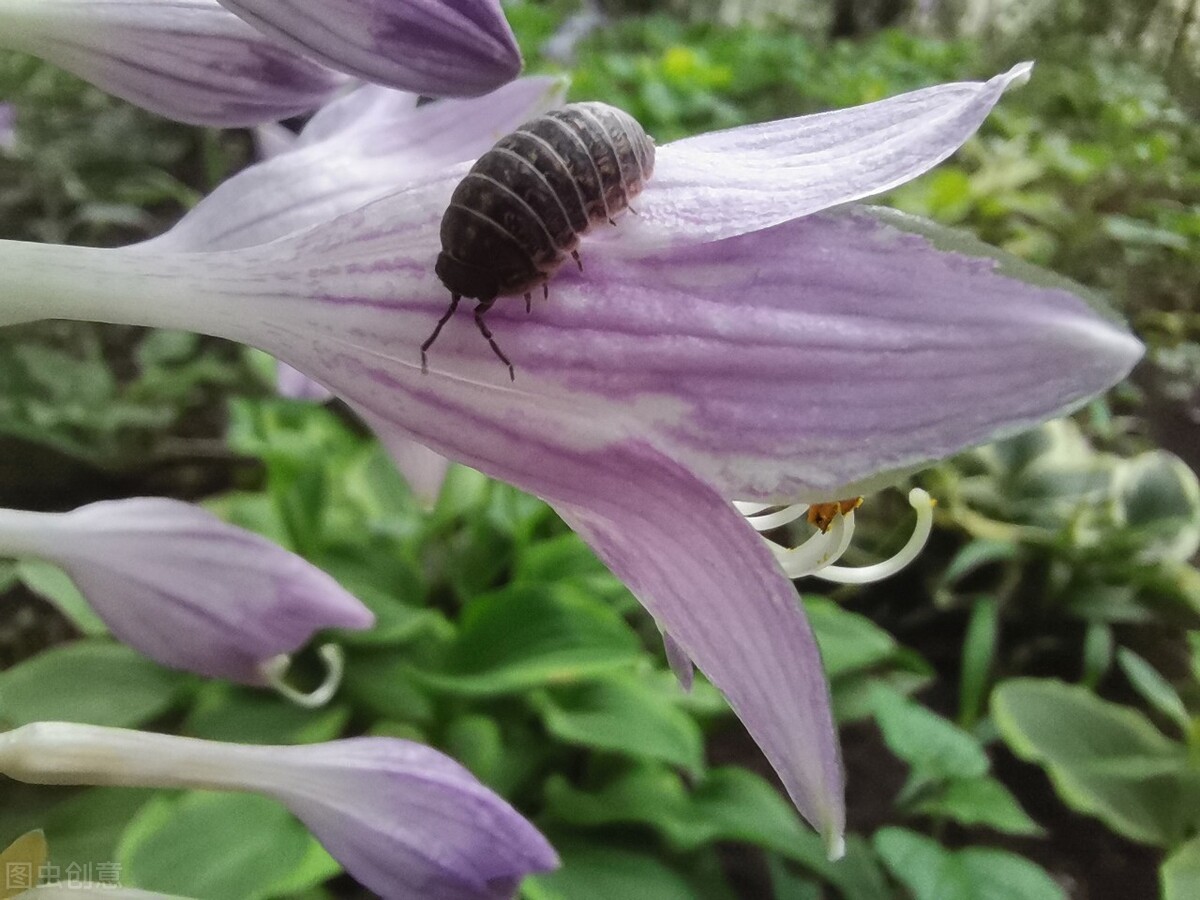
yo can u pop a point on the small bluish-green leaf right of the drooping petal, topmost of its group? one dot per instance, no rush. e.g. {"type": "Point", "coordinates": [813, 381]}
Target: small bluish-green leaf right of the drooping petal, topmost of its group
{"type": "Point", "coordinates": [934, 747]}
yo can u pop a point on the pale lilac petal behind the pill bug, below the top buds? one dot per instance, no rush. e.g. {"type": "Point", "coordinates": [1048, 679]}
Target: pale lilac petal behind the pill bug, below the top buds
{"type": "Point", "coordinates": [381, 143]}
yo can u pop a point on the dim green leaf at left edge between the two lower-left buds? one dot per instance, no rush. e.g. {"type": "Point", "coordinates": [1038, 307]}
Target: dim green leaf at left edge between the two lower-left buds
{"type": "Point", "coordinates": [94, 682]}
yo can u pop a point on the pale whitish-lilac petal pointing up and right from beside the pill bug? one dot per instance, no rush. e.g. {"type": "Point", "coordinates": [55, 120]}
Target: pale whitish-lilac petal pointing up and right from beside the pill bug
{"type": "Point", "coordinates": [729, 183]}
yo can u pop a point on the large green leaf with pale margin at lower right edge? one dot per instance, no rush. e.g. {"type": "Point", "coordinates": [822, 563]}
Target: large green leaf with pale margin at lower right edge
{"type": "Point", "coordinates": [1105, 760]}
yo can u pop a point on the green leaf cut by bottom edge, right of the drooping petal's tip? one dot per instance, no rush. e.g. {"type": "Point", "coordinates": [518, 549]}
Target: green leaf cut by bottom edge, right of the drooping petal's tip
{"type": "Point", "coordinates": [933, 873]}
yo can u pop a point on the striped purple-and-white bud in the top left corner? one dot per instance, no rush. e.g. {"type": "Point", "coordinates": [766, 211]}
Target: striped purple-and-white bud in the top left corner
{"type": "Point", "coordinates": [189, 61]}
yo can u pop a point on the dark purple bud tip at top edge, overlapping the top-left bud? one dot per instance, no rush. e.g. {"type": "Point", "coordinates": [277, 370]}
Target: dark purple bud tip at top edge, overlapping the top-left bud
{"type": "Point", "coordinates": [445, 49]}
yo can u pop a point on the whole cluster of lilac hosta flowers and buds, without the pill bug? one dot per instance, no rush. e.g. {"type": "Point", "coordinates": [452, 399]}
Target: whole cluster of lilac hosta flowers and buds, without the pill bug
{"type": "Point", "coordinates": [753, 340]}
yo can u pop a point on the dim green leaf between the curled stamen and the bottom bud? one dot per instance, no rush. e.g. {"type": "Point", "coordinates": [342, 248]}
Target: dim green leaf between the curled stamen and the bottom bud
{"type": "Point", "coordinates": [238, 715]}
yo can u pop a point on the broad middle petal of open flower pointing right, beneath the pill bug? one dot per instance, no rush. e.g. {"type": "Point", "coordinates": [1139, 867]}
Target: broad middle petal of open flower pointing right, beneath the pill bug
{"type": "Point", "coordinates": [795, 363]}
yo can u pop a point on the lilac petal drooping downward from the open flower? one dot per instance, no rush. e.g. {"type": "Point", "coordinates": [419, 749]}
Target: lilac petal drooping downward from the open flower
{"type": "Point", "coordinates": [710, 583]}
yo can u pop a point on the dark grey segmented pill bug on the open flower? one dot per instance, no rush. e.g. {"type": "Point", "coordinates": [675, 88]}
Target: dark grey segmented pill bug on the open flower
{"type": "Point", "coordinates": [525, 205]}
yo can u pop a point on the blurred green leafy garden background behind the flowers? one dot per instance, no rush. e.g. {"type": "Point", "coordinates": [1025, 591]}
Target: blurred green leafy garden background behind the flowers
{"type": "Point", "coordinates": [1018, 709]}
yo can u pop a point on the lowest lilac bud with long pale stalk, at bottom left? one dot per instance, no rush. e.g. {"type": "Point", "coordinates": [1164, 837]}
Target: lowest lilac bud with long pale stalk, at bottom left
{"type": "Point", "coordinates": [405, 820]}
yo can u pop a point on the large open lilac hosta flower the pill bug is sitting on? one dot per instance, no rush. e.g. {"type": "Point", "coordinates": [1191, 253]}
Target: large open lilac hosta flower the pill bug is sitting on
{"type": "Point", "coordinates": [746, 338]}
